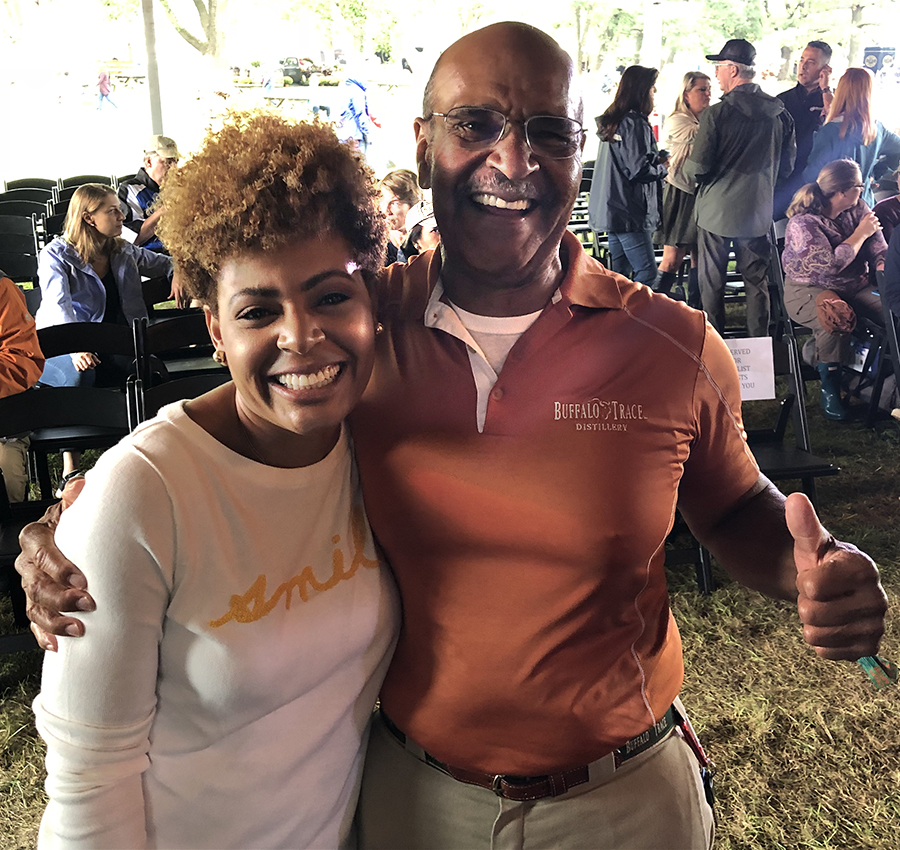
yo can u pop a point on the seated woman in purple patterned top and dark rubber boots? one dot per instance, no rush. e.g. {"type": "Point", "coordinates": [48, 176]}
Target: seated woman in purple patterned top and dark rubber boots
{"type": "Point", "coordinates": [832, 244]}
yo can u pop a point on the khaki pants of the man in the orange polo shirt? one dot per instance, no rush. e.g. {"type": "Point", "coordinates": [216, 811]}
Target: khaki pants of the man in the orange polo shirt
{"type": "Point", "coordinates": [654, 801]}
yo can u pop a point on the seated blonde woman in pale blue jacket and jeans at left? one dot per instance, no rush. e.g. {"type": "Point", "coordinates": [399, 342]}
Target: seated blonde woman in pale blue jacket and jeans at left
{"type": "Point", "coordinates": [90, 274]}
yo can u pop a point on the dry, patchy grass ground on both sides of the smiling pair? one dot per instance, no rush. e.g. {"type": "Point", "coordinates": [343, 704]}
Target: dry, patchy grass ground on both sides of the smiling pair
{"type": "Point", "coordinates": [808, 753]}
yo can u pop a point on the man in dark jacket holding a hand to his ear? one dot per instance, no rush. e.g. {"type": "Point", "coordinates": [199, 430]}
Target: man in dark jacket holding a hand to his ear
{"type": "Point", "coordinates": [808, 102]}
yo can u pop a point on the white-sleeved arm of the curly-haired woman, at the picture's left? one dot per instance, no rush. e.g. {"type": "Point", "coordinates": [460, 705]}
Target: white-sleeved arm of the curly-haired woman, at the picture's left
{"type": "Point", "coordinates": [98, 694]}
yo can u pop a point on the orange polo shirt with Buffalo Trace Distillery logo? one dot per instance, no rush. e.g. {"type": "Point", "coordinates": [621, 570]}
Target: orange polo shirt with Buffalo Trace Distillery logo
{"type": "Point", "coordinates": [537, 634]}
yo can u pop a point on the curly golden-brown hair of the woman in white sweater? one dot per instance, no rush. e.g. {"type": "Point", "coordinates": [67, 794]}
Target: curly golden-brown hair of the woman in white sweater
{"type": "Point", "coordinates": [261, 181]}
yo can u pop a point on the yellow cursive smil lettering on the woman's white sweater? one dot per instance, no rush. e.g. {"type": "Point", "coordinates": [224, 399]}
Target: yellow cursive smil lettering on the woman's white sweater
{"type": "Point", "coordinates": [253, 605]}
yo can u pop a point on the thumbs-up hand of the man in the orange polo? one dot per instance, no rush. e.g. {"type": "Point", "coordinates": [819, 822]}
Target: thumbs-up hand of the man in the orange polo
{"type": "Point", "coordinates": [841, 602]}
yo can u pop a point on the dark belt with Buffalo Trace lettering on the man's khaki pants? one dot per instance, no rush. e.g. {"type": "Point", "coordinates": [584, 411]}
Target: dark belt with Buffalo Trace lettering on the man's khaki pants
{"type": "Point", "coordinates": [524, 788]}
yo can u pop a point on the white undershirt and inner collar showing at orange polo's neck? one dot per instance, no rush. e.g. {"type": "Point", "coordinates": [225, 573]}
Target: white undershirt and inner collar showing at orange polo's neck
{"type": "Point", "coordinates": [488, 339]}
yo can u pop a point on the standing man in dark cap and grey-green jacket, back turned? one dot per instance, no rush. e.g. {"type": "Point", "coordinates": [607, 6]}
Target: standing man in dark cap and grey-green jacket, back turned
{"type": "Point", "coordinates": [745, 143]}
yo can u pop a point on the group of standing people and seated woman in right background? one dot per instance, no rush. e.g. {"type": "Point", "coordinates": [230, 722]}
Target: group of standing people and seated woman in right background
{"type": "Point", "coordinates": [726, 172]}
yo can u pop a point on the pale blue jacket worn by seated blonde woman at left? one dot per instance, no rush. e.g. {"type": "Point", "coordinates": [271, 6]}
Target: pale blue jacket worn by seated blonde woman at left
{"type": "Point", "coordinates": [72, 292]}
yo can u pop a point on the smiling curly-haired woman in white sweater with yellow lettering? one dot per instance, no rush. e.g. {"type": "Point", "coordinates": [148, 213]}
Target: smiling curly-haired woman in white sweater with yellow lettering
{"type": "Point", "coordinates": [222, 693]}
